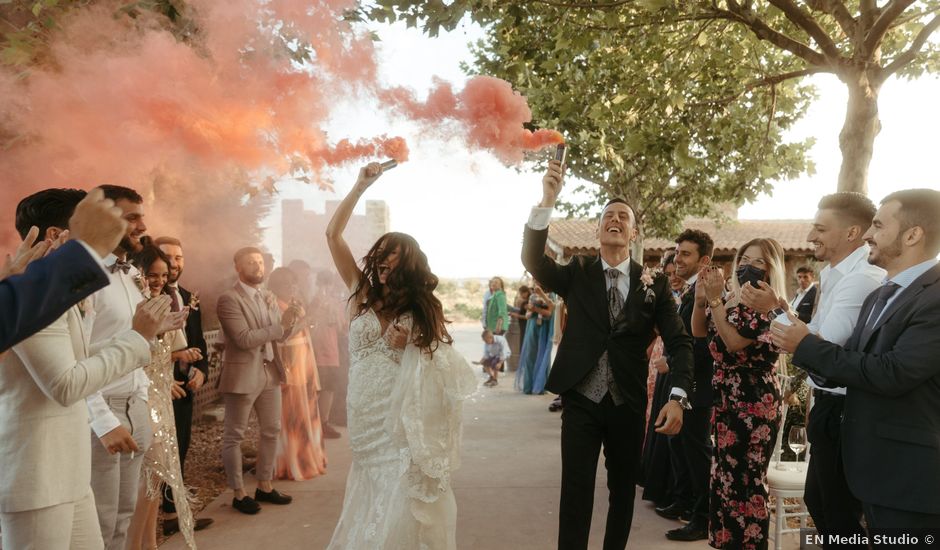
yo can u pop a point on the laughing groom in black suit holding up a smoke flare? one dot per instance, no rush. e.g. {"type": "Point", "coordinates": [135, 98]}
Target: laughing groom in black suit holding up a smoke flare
{"type": "Point", "coordinates": [601, 366]}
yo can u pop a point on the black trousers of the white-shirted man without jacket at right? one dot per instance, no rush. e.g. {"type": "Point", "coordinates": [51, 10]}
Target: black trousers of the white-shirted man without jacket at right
{"type": "Point", "coordinates": [827, 496]}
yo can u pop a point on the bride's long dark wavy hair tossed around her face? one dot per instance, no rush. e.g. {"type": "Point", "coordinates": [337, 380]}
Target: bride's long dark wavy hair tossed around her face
{"type": "Point", "coordinates": [410, 289]}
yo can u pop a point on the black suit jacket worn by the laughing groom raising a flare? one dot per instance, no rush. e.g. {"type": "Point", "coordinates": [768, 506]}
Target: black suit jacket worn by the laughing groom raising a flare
{"type": "Point", "coordinates": [588, 332]}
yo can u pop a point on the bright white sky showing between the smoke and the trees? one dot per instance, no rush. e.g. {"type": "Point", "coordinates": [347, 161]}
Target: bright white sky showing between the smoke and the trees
{"type": "Point", "coordinates": [467, 210]}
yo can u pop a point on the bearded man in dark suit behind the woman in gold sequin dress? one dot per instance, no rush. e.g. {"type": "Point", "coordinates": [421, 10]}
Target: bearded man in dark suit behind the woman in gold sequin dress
{"type": "Point", "coordinates": [190, 371]}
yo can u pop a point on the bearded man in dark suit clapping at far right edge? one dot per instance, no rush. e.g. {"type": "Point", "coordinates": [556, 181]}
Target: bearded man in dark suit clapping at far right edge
{"type": "Point", "coordinates": [891, 422]}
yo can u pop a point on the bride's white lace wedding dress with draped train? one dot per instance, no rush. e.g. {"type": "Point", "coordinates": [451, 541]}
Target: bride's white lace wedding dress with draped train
{"type": "Point", "coordinates": [404, 419]}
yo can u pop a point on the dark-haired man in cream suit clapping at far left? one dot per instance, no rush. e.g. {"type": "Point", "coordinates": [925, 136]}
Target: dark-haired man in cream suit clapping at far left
{"type": "Point", "coordinates": [46, 500]}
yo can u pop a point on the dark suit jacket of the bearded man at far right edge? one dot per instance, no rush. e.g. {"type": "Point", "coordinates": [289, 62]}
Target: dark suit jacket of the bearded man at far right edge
{"type": "Point", "coordinates": [891, 423]}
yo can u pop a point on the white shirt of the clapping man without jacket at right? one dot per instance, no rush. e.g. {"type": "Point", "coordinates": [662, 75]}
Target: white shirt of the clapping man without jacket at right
{"type": "Point", "coordinates": [842, 289]}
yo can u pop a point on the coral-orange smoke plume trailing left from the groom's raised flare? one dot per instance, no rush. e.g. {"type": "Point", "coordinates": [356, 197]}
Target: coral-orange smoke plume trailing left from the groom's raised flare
{"type": "Point", "coordinates": [487, 113]}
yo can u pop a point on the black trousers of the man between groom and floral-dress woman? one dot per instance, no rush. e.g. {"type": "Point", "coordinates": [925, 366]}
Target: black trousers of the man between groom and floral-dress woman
{"type": "Point", "coordinates": [692, 453]}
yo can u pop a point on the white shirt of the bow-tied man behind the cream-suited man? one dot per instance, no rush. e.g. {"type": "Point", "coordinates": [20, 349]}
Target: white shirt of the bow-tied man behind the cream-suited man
{"type": "Point", "coordinates": [111, 312]}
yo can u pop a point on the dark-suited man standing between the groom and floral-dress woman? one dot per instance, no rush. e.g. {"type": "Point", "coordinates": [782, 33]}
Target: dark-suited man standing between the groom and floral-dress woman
{"type": "Point", "coordinates": [692, 447]}
